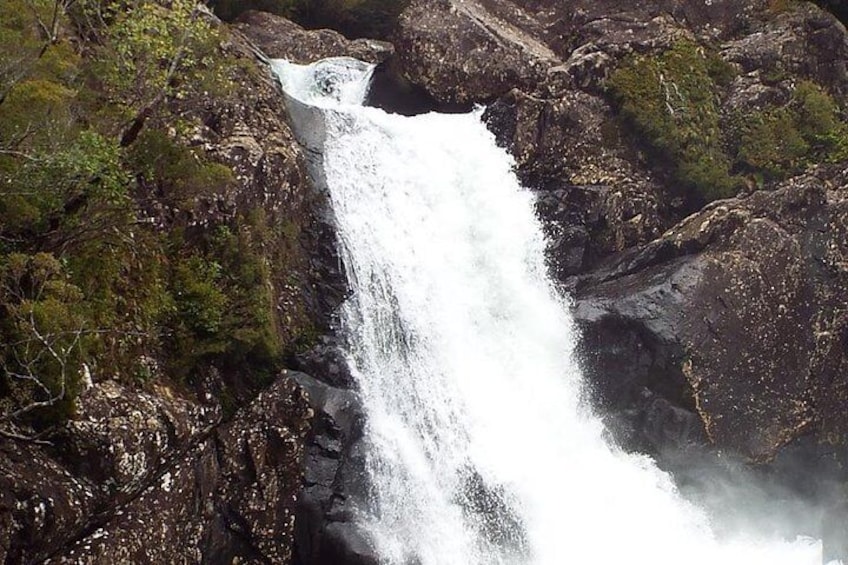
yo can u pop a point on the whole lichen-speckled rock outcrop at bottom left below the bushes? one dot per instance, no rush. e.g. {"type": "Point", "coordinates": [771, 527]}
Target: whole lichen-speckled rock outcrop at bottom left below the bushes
{"type": "Point", "coordinates": [149, 478]}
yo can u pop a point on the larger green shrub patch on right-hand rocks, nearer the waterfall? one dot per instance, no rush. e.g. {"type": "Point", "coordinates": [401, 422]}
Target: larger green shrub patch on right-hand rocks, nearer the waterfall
{"type": "Point", "coordinates": [672, 100]}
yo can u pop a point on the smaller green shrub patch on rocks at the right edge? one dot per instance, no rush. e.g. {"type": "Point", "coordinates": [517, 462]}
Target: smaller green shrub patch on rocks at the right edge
{"type": "Point", "coordinates": [783, 140]}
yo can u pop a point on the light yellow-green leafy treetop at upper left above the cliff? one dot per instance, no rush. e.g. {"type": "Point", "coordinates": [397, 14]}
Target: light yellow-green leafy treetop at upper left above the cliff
{"type": "Point", "coordinates": [151, 53]}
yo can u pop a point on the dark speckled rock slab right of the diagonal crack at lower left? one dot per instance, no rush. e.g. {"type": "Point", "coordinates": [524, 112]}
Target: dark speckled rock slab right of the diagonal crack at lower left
{"type": "Point", "coordinates": [229, 495]}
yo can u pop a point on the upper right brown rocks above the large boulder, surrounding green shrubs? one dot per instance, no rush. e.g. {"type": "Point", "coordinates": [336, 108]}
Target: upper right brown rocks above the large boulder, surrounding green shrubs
{"type": "Point", "coordinates": [547, 64]}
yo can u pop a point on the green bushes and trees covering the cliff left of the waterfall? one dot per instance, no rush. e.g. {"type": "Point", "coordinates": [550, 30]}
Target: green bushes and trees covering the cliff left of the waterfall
{"type": "Point", "coordinates": [96, 281]}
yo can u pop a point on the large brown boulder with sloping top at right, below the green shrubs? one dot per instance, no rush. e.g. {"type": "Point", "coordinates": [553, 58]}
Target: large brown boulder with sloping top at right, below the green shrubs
{"type": "Point", "coordinates": [744, 303]}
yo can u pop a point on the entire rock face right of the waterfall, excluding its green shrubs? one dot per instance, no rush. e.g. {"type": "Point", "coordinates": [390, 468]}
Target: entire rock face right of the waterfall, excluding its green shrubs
{"type": "Point", "coordinates": [726, 334]}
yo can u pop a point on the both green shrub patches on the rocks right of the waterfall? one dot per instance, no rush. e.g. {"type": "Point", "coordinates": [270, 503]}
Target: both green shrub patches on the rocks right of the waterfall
{"type": "Point", "coordinates": [673, 101]}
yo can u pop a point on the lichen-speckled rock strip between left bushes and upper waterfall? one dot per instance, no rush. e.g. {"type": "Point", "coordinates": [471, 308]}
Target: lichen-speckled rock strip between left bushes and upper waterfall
{"type": "Point", "coordinates": [243, 125]}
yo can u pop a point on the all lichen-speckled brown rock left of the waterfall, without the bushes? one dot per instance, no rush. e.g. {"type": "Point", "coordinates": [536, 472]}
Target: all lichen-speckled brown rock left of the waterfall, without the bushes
{"type": "Point", "coordinates": [169, 474]}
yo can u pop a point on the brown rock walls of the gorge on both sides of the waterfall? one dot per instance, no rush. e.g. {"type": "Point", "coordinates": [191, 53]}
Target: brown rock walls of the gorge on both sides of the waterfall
{"type": "Point", "coordinates": [710, 284]}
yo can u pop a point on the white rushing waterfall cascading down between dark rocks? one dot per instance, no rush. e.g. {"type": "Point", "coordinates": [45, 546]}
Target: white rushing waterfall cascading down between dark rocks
{"type": "Point", "coordinates": [480, 449]}
